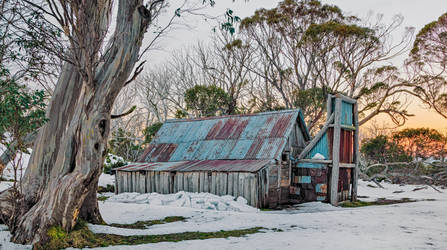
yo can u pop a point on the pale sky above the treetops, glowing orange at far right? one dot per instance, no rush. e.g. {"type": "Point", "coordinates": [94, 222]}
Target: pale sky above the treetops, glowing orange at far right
{"type": "Point", "coordinates": [416, 13]}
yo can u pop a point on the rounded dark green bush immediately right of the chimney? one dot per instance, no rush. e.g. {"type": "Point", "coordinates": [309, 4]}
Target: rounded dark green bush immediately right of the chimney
{"type": "Point", "coordinates": [381, 150]}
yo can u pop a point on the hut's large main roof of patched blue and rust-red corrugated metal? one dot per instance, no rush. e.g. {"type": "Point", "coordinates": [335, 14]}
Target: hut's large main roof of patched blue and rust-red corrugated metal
{"type": "Point", "coordinates": [237, 137]}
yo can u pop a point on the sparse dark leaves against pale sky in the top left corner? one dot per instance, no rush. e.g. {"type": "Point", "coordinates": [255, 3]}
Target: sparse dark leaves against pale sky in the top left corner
{"type": "Point", "coordinates": [25, 36]}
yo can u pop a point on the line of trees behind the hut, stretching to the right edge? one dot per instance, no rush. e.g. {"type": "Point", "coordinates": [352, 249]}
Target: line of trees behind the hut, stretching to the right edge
{"type": "Point", "coordinates": [292, 56]}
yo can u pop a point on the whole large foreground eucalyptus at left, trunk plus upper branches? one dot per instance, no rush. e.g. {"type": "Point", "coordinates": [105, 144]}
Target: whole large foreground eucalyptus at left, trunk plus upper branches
{"type": "Point", "coordinates": [60, 182]}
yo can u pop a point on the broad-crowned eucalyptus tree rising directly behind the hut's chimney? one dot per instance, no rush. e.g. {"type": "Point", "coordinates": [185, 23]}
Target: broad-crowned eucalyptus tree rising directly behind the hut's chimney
{"type": "Point", "coordinates": [305, 45]}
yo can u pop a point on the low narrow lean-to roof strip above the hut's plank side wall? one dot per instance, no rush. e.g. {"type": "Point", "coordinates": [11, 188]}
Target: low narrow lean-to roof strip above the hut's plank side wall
{"type": "Point", "coordinates": [191, 166]}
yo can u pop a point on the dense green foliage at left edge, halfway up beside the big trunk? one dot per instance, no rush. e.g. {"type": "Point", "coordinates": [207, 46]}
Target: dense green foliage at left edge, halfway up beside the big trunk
{"type": "Point", "coordinates": [22, 110]}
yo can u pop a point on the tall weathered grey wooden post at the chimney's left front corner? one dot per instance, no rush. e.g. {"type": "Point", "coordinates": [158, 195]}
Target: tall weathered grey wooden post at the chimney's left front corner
{"type": "Point", "coordinates": [335, 153]}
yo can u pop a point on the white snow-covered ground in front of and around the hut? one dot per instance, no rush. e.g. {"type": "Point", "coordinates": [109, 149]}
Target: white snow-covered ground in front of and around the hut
{"type": "Point", "coordinates": [416, 225]}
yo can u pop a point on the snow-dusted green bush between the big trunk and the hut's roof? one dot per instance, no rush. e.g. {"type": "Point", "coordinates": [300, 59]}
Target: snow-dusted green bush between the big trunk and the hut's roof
{"type": "Point", "coordinates": [125, 145]}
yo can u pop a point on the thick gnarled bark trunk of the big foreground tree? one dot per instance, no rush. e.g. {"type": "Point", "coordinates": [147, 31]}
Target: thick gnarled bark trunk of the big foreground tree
{"type": "Point", "coordinates": [60, 183]}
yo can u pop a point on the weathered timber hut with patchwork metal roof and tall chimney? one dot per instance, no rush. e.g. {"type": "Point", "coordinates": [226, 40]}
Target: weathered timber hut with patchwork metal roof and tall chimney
{"type": "Point", "coordinates": [267, 158]}
